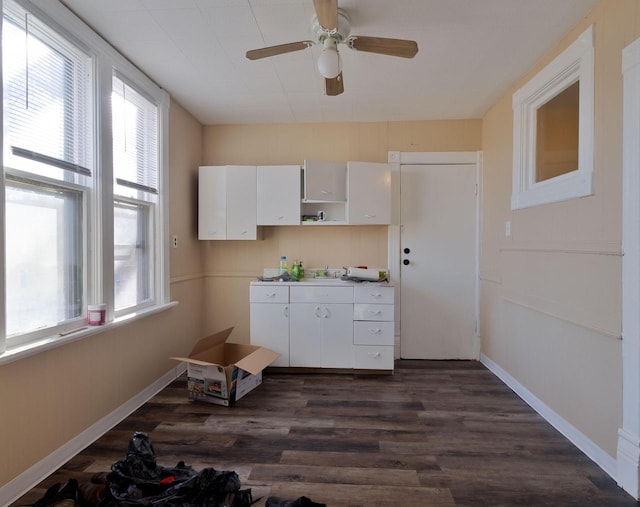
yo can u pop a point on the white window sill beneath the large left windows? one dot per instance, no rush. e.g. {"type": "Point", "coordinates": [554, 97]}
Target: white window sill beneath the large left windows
{"type": "Point", "coordinates": [54, 341]}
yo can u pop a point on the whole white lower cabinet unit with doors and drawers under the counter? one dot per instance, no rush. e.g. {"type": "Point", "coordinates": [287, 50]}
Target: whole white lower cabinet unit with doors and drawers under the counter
{"type": "Point", "coordinates": [319, 326]}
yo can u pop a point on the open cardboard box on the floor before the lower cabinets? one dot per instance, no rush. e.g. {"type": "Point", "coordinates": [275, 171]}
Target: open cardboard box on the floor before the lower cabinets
{"type": "Point", "coordinates": [222, 373]}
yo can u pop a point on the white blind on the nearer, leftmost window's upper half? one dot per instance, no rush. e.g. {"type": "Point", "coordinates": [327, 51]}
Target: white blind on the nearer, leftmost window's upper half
{"type": "Point", "coordinates": [47, 89]}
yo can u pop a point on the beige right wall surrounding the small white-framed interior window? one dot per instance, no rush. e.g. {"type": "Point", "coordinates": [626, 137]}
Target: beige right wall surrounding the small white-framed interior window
{"type": "Point", "coordinates": [551, 294]}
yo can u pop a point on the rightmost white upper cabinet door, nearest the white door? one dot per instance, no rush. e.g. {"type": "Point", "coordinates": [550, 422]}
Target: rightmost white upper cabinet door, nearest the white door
{"type": "Point", "coordinates": [369, 193]}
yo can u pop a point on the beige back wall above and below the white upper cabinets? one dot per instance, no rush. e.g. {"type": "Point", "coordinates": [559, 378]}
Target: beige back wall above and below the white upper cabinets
{"type": "Point", "coordinates": [231, 265]}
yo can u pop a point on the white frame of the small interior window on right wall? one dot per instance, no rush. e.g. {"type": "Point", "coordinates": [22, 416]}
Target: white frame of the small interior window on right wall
{"type": "Point", "coordinates": [575, 63]}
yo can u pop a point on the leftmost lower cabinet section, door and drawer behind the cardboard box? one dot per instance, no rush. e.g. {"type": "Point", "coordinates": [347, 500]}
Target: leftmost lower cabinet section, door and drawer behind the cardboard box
{"type": "Point", "coordinates": [269, 320]}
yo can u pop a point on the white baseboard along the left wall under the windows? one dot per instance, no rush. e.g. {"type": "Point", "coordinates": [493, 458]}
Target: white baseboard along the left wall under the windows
{"type": "Point", "coordinates": [17, 487]}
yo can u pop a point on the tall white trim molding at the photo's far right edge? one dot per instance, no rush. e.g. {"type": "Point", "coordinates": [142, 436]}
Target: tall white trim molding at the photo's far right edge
{"type": "Point", "coordinates": [629, 435]}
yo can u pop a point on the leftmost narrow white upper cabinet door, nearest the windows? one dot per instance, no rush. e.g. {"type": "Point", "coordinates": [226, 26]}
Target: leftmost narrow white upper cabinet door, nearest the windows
{"type": "Point", "coordinates": [212, 202]}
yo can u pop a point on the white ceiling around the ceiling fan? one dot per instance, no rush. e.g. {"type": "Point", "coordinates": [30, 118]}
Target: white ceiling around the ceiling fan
{"type": "Point", "coordinates": [470, 52]}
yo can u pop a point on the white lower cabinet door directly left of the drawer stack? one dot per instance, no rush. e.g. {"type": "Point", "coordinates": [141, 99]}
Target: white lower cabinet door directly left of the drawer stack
{"type": "Point", "coordinates": [337, 336]}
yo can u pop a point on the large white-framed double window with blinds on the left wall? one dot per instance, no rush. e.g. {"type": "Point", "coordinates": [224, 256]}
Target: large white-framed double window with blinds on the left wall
{"type": "Point", "coordinates": [83, 178]}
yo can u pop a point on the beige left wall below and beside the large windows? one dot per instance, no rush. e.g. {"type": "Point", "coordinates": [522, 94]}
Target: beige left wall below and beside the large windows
{"type": "Point", "coordinates": [50, 398]}
